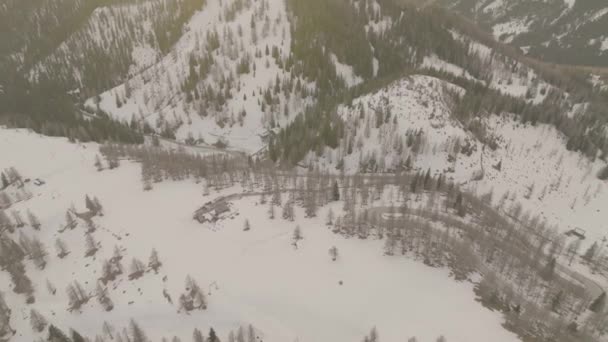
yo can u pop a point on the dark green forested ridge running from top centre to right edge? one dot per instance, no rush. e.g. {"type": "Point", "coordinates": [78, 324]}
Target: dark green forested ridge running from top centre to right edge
{"type": "Point", "coordinates": [408, 34]}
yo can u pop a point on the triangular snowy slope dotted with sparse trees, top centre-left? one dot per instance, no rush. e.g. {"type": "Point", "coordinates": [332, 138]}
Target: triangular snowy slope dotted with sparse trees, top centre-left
{"type": "Point", "coordinates": [219, 80]}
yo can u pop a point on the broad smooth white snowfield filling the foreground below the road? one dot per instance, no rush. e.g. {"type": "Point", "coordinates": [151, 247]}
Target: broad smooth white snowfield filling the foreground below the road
{"type": "Point", "coordinates": [249, 277]}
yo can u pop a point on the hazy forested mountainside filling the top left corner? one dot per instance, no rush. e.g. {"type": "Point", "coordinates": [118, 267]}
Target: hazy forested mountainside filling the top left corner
{"type": "Point", "coordinates": [46, 99]}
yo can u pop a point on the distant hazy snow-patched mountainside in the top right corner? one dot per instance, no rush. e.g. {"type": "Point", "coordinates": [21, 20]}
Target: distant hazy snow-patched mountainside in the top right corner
{"type": "Point", "coordinates": [562, 31]}
